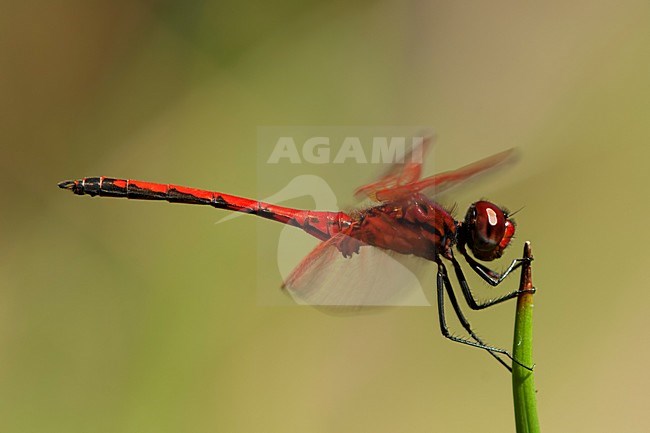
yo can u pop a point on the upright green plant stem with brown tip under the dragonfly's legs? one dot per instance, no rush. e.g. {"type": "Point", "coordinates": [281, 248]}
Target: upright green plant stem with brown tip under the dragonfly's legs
{"type": "Point", "coordinates": [523, 380]}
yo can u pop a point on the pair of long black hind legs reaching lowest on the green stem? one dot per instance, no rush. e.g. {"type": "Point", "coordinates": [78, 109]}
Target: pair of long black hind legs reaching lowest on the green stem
{"type": "Point", "coordinates": [444, 284]}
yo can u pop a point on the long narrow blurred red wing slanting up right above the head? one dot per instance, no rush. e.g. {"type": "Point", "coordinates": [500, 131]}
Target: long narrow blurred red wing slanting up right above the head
{"type": "Point", "coordinates": [443, 181]}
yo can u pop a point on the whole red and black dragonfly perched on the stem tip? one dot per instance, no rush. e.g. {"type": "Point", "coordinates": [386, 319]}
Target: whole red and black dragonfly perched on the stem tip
{"type": "Point", "coordinates": [405, 220]}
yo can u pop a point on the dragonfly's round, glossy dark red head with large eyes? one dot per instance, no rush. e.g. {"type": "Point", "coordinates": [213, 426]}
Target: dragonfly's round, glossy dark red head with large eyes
{"type": "Point", "coordinates": [488, 230]}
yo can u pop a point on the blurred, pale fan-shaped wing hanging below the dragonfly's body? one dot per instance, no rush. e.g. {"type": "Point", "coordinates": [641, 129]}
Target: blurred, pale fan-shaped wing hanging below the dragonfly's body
{"type": "Point", "coordinates": [370, 278]}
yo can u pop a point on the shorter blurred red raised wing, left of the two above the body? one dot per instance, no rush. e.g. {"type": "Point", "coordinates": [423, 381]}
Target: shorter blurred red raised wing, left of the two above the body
{"type": "Point", "coordinates": [402, 172]}
